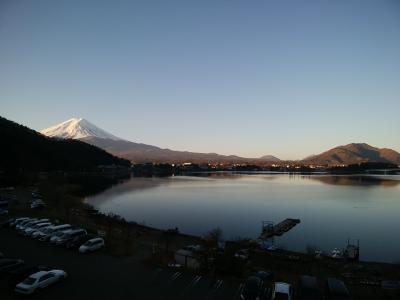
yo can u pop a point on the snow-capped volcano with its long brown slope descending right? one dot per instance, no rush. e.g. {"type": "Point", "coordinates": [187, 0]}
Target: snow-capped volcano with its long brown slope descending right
{"type": "Point", "coordinates": [81, 129]}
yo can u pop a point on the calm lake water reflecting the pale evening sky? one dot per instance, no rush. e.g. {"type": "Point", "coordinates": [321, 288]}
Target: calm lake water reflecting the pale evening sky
{"type": "Point", "coordinates": [331, 208]}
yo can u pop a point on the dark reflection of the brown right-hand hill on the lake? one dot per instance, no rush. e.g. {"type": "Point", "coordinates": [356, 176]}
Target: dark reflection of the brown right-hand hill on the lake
{"type": "Point", "coordinates": [357, 180]}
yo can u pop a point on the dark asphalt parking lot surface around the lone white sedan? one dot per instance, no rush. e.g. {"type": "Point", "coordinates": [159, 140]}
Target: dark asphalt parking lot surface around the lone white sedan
{"type": "Point", "coordinates": [99, 276]}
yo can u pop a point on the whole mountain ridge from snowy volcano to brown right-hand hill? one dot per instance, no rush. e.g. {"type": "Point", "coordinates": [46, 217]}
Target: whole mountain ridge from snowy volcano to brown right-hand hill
{"type": "Point", "coordinates": [81, 129]}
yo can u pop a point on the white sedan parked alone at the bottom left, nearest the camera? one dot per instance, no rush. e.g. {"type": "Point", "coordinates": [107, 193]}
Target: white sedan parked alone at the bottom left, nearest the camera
{"type": "Point", "coordinates": [39, 280]}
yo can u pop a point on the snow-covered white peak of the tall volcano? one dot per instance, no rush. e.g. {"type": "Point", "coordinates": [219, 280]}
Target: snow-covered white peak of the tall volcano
{"type": "Point", "coordinates": [77, 128]}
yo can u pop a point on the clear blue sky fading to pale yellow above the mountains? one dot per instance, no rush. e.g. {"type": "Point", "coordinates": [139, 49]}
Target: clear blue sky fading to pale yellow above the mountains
{"type": "Point", "coordinates": [287, 78]}
